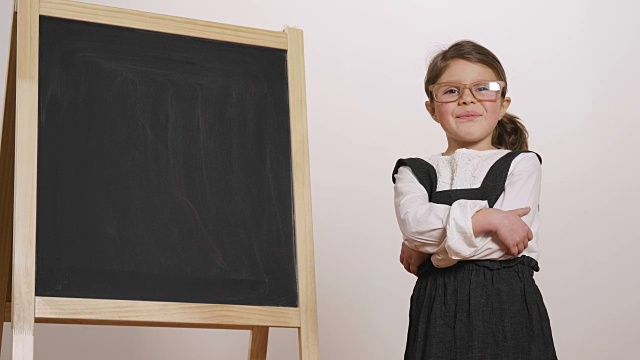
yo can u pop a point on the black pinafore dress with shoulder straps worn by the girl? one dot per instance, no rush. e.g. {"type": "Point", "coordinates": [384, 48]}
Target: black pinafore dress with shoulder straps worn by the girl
{"type": "Point", "coordinates": [477, 309]}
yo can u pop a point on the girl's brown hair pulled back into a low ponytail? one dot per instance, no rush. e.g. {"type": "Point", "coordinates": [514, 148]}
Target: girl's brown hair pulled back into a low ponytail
{"type": "Point", "coordinates": [510, 133]}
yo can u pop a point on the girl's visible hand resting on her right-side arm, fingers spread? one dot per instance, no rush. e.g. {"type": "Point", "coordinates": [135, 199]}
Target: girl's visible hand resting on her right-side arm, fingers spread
{"type": "Point", "coordinates": [507, 227]}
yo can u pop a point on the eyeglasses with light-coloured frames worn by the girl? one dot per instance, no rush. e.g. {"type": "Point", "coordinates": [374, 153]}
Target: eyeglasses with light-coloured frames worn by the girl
{"type": "Point", "coordinates": [481, 90]}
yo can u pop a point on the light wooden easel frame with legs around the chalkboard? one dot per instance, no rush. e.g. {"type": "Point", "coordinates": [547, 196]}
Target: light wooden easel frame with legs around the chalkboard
{"type": "Point", "coordinates": [18, 206]}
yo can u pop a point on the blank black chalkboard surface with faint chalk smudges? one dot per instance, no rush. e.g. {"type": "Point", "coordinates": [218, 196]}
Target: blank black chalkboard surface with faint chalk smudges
{"type": "Point", "coordinates": [164, 168]}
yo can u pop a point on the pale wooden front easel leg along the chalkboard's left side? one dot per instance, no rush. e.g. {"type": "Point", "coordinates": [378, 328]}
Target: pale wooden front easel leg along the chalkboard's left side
{"type": "Point", "coordinates": [25, 181]}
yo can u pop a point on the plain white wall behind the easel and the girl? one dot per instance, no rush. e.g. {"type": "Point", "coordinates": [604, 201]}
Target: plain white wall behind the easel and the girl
{"type": "Point", "coordinates": [573, 74]}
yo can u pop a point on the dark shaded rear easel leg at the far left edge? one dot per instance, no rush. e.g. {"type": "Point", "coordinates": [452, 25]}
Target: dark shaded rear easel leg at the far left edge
{"type": "Point", "coordinates": [7, 148]}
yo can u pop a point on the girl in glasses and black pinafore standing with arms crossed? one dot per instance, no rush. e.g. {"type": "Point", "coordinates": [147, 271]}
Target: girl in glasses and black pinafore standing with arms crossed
{"type": "Point", "coordinates": [469, 217]}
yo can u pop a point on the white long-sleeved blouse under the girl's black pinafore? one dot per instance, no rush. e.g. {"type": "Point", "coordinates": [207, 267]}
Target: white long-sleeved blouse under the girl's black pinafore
{"type": "Point", "coordinates": [446, 231]}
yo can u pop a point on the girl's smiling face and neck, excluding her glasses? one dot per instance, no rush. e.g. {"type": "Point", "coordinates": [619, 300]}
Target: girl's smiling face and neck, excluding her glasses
{"type": "Point", "coordinates": [468, 123]}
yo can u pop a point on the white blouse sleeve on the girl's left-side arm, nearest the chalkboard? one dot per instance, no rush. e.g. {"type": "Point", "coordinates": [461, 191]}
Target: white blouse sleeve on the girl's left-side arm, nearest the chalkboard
{"type": "Point", "coordinates": [425, 225]}
